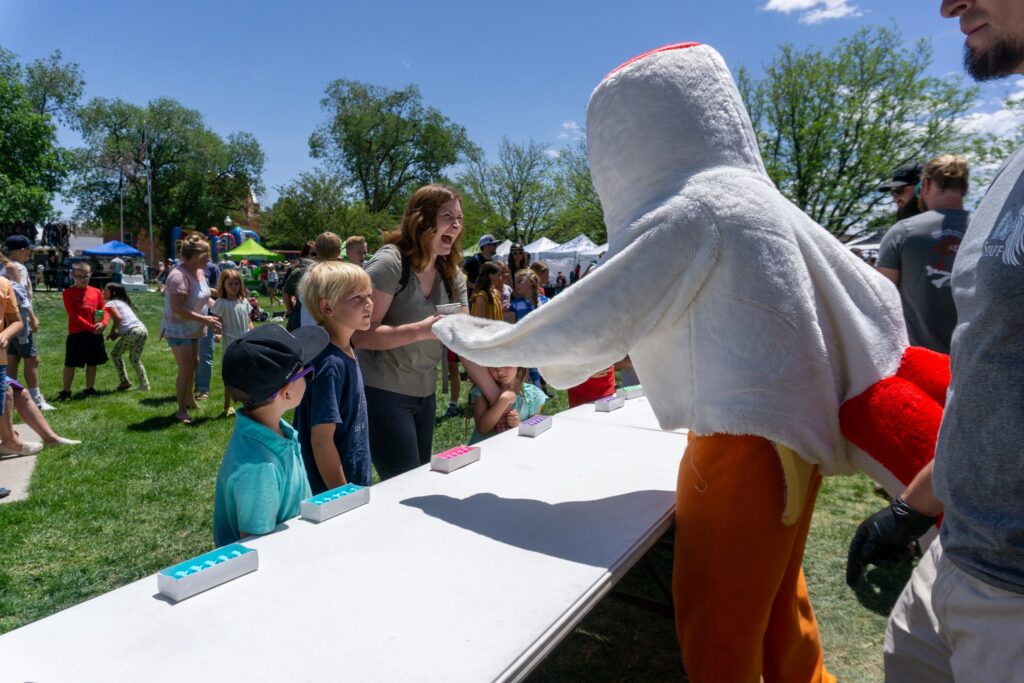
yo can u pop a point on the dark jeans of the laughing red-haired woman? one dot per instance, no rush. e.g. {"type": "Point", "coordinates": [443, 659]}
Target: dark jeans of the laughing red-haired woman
{"type": "Point", "coordinates": [402, 431]}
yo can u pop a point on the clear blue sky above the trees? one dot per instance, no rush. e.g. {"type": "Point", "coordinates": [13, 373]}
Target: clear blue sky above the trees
{"type": "Point", "coordinates": [521, 70]}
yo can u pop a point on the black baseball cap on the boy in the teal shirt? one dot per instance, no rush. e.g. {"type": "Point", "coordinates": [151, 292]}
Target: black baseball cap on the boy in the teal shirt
{"type": "Point", "coordinates": [263, 361]}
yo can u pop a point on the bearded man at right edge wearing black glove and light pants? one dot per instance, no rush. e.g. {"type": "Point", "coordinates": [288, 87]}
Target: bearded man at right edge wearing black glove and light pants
{"type": "Point", "coordinates": [960, 616]}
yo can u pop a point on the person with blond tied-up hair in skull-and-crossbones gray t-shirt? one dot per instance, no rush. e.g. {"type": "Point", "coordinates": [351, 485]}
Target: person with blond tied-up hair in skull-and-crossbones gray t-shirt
{"type": "Point", "coordinates": [918, 253]}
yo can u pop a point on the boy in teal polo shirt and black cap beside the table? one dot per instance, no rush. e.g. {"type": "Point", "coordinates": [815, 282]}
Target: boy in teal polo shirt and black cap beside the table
{"type": "Point", "coordinates": [263, 480]}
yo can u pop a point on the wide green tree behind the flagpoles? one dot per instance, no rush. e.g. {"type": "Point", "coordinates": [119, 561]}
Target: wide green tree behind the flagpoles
{"type": "Point", "coordinates": [198, 177]}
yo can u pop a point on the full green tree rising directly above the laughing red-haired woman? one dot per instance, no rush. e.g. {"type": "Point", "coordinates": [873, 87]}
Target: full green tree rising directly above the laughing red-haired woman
{"type": "Point", "coordinates": [386, 143]}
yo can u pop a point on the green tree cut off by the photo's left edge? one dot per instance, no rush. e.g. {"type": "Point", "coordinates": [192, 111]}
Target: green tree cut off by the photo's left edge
{"type": "Point", "coordinates": [32, 166]}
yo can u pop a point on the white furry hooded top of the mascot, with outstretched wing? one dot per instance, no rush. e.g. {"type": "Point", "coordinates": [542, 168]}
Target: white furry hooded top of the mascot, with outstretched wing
{"type": "Point", "coordinates": [742, 316]}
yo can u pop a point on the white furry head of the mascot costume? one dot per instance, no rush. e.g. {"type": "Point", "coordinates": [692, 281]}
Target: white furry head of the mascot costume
{"type": "Point", "coordinates": [658, 120]}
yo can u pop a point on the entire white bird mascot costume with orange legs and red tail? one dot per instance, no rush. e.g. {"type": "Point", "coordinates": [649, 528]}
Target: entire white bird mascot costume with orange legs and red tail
{"type": "Point", "coordinates": [784, 355]}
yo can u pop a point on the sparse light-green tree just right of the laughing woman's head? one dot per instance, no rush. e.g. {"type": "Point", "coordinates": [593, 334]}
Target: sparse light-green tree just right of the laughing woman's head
{"type": "Point", "coordinates": [517, 195]}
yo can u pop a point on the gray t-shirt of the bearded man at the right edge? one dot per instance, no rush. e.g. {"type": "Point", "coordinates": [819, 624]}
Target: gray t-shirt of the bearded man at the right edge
{"type": "Point", "coordinates": [979, 459]}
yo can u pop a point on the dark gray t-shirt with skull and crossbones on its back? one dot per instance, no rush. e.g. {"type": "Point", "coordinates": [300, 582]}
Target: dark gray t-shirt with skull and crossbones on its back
{"type": "Point", "coordinates": [924, 249]}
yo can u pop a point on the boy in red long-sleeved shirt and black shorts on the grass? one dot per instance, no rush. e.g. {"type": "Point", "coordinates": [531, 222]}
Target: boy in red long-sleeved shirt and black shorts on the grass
{"type": "Point", "coordinates": [87, 321]}
